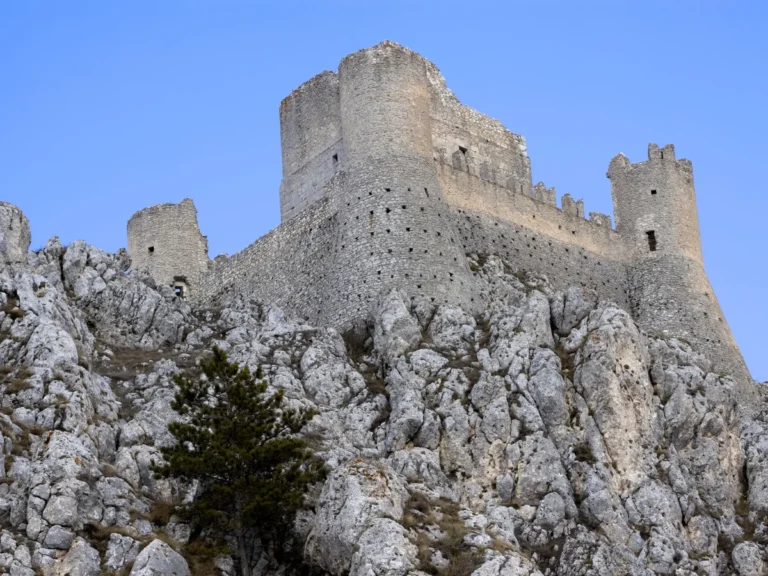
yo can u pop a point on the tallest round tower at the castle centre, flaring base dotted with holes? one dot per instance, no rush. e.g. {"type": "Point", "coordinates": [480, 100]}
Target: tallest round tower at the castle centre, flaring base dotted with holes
{"type": "Point", "coordinates": [394, 228]}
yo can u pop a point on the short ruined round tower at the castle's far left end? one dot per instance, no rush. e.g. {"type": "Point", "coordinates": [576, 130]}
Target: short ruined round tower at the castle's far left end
{"type": "Point", "coordinates": [166, 241]}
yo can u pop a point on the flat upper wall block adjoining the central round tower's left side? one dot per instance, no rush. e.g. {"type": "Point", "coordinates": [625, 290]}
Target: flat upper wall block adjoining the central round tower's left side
{"type": "Point", "coordinates": [310, 132]}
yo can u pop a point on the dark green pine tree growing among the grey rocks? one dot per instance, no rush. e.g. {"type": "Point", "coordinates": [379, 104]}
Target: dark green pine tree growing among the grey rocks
{"type": "Point", "coordinates": [241, 445]}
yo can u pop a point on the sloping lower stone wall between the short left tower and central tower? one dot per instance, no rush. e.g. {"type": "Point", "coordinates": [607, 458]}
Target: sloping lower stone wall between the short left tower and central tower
{"type": "Point", "coordinates": [286, 267]}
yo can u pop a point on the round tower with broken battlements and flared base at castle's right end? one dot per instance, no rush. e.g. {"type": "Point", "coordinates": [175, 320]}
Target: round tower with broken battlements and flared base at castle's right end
{"type": "Point", "coordinates": [656, 216]}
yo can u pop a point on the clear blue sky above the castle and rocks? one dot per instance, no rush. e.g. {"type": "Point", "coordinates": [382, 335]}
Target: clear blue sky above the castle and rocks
{"type": "Point", "coordinates": [109, 107]}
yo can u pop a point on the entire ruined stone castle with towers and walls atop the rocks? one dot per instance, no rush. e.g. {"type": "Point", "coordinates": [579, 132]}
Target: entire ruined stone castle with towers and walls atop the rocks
{"type": "Point", "coordinates": [389, 181]}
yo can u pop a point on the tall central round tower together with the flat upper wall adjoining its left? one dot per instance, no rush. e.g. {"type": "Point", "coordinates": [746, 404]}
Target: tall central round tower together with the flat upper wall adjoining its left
{"type": "Point", "coordinates": [361, 139]}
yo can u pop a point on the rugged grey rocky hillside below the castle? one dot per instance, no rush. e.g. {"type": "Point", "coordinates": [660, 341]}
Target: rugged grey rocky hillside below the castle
{"type": "Point", "coordinates": [547, 436]}
